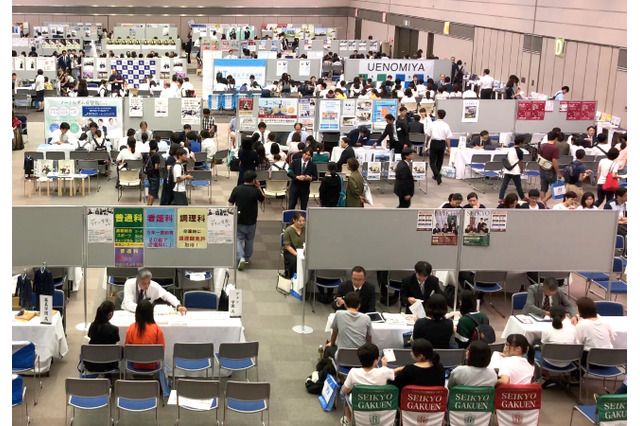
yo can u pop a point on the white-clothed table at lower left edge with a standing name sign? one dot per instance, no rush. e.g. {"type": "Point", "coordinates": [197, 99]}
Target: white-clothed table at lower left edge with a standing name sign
{"type": "Point", "coordinates": [49, 339]}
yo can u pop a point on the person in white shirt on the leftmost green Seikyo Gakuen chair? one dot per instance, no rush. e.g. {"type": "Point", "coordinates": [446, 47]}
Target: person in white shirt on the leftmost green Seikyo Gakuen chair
{"type": "Point", "coordinates": [369, 374]}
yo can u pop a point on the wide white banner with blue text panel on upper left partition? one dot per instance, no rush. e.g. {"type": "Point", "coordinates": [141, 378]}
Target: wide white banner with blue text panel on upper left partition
{"type": "Point", "coordinates": [79, 113]}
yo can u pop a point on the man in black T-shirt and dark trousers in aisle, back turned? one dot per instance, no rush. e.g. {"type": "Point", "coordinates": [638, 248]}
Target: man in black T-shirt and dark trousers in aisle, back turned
{"type": "Point", "coordinates": [246, 198]}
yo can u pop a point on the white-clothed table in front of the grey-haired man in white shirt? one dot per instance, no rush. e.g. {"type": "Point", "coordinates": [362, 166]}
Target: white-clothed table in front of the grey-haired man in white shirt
{"type": "Point", "coordinates": [195, 327]}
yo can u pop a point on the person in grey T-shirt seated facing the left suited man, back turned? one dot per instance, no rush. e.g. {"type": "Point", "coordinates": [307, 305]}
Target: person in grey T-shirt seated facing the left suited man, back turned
{"type": "Point", "coordinates": [350, 328]}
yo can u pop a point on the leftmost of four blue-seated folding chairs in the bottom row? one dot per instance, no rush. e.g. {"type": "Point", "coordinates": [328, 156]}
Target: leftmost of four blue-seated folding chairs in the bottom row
{"type": "Point", "coordinates": [87, 394]}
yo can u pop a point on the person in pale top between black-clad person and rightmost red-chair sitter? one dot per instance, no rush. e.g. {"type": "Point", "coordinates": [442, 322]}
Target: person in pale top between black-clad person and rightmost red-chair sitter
{"type": "Point", "coordinates": [476, 372]}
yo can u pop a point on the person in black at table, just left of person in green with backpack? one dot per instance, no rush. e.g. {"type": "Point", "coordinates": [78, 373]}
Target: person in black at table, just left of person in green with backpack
{"type": "Point", "coordinates": [435, 327]}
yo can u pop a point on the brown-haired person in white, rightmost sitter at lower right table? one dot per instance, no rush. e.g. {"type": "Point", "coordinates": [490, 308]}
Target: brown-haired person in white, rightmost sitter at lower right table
{"type": "Point", "coordinates": [591, 331]}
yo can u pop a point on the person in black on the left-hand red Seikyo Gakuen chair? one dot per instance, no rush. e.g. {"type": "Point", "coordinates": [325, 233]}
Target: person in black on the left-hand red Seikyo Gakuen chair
{"type": "Point", "coordinates": [426, 371]}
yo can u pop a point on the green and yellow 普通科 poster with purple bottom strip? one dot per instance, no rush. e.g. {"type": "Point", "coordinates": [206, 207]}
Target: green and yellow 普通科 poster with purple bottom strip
{"type": "Point", "coordinates": [129, 237]}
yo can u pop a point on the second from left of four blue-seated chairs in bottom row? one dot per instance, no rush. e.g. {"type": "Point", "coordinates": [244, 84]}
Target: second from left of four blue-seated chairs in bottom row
{"type": "Point", "coordinates": [137, 396]}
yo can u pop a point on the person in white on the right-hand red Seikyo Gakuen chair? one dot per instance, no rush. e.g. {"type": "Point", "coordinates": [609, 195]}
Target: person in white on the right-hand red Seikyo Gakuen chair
{"type": "Point", "coordinates": [516, 364]}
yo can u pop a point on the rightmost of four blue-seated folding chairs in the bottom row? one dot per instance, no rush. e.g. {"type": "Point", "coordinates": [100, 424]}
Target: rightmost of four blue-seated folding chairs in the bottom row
{"type": "Point", "coordinates": [247, 398]}
